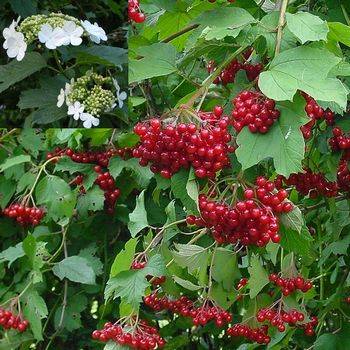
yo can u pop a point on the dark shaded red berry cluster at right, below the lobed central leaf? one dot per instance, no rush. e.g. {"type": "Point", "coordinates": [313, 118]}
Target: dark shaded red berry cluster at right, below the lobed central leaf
{"type": "Point", "coordinates": [309, 183]}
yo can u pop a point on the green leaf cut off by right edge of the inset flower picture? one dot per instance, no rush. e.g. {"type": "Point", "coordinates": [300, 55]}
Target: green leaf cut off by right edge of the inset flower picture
{"type": "Point", "coordinates": [163, 58]}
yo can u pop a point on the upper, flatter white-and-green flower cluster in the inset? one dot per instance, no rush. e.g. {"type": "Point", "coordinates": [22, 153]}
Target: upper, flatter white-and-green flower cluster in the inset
{"type": "Point", "coordinates": [53, 30]}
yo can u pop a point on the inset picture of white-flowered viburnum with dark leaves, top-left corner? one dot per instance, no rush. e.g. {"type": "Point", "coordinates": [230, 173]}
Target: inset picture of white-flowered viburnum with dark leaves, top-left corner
{"type": "Point", "coordinates": [63, 66]}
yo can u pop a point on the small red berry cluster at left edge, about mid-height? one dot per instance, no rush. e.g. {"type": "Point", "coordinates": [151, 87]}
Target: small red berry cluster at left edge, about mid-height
{"type": "Point", "coordinates": [24, 215]}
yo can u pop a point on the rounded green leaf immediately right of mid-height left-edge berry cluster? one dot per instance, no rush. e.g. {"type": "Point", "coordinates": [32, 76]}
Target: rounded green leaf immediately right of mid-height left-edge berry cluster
{"type": "Point", "coordinates": [56, 194]}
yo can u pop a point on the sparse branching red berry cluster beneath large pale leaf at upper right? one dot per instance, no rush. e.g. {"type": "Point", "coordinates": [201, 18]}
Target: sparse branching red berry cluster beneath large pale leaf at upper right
{"type": "Point", "coordinates": [315, 112]}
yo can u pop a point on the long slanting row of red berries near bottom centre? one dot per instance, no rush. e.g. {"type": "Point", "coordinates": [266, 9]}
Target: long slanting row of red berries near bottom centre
{"type": "Point", "coordinates": [200, 315]}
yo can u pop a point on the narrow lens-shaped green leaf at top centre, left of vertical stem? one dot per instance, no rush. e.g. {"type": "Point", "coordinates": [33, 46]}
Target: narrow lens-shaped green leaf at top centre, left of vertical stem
{"type": "Point", "coordinates": [225, 17]}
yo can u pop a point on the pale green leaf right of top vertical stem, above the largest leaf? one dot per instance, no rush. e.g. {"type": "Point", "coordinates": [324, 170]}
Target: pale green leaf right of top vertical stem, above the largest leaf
{"type": "Point", "coordinates": [307, 27]}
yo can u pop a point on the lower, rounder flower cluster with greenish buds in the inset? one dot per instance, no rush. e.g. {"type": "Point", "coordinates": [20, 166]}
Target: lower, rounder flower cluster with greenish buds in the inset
{"type": "Point", "coordinates": [89, 96]}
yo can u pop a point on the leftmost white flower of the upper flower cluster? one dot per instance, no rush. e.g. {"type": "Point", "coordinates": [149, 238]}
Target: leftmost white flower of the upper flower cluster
{"type": "Point", "coordinates": [14, 43]}
